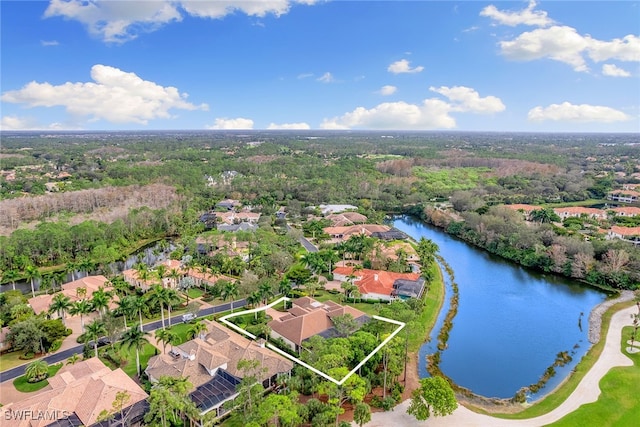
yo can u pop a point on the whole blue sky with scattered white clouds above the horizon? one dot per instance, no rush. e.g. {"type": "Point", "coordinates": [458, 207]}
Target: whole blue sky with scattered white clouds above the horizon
{"type": "Point", "coordinates": [310, 64]}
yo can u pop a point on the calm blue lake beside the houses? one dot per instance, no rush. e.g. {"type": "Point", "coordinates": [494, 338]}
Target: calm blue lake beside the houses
{"type": "Point", "coordinates": [511, 322]}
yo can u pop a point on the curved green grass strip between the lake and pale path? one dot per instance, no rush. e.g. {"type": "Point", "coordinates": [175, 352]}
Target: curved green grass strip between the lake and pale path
{"type": "Point", "coordinates": [561, 394]}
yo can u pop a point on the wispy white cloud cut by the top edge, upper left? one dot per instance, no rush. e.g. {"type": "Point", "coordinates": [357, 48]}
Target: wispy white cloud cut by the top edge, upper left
{"type": "Point", "coordinates": [120, 21]}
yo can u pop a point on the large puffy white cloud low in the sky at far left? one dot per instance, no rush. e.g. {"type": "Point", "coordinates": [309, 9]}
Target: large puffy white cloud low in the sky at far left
{"type": "Point", "coordinates": [115, 96]}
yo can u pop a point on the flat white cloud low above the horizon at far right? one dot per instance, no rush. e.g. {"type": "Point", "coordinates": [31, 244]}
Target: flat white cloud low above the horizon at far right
{"type": "Point", "coordinates": [583, 113]}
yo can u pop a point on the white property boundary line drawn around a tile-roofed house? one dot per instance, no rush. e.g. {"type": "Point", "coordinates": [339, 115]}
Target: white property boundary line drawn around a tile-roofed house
{"type": "Point", "coordinates": [224, 319]}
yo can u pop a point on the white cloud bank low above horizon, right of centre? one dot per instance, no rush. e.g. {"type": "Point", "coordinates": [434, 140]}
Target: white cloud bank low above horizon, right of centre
{"type": "Point", "coordinates": [432, 113]}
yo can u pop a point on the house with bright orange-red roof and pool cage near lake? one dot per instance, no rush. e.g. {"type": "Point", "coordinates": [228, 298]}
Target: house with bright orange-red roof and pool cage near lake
{"type": "Point", "coordinates": [382, 285]}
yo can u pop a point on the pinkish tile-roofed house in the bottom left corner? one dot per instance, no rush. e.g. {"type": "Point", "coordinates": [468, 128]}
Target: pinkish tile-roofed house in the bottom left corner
{"type": "Point", "coordinates": [77, 395]}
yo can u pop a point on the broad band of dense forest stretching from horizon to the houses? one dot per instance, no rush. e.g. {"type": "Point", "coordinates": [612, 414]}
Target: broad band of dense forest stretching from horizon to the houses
{"type": "Point", "coordinates": [68, 197]}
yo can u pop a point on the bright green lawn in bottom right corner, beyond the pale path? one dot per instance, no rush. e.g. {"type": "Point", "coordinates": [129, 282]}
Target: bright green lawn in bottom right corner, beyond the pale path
{"type": "Point", "coordinates": [618, 405]}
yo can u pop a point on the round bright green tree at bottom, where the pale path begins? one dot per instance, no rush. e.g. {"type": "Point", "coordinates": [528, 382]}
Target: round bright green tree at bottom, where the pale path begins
{"type": "Point", "coordinates": [434, 397]}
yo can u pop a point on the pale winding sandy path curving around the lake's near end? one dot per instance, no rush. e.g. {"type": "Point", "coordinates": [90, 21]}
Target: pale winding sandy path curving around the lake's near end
{"type": "Point", "coordinates": [587, 391]}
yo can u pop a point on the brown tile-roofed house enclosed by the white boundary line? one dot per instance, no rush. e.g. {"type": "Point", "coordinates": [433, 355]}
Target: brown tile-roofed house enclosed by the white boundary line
{"type": "Point", "coordinates": [308, 317]}
